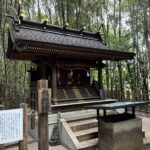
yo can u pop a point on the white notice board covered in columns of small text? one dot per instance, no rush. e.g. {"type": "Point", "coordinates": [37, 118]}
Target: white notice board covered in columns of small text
{"type": "Point", "coordinates": [11, 125]}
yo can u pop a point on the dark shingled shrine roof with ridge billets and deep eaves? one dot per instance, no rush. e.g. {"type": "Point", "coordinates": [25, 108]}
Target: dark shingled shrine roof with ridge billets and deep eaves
{"type": "Point", "coordinates": [29, 40]}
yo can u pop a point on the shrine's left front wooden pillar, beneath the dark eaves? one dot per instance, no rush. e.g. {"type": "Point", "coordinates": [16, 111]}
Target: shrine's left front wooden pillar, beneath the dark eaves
{"type": "Point", "coordinates": [54, 82]}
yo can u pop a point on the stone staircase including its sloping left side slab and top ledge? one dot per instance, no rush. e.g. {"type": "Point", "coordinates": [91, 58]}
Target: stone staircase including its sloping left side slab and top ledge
{"type": "Point", "coordinates": [79, 129]}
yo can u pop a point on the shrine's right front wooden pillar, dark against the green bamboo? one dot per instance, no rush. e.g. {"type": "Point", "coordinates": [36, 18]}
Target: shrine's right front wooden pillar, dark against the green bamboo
{"type": "Point", "coordinates": [101, 91]}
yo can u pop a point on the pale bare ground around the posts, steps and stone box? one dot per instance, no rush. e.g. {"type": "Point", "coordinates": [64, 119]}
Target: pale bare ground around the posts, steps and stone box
{"type": "Point", "coordinates": [146, 128]}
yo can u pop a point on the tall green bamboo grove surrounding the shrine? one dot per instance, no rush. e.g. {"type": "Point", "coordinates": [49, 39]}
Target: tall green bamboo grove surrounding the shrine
{"type": "Point", "coordinates": [124, 25]}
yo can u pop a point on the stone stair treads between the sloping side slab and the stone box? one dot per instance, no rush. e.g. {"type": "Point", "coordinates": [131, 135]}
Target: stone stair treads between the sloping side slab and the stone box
{"type": "Point", "coordinates": [86, 132]}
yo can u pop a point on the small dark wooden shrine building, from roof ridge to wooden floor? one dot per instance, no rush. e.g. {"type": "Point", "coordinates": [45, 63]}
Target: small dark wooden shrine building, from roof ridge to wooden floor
{"type": "Point", "coordinates": [64, 57]}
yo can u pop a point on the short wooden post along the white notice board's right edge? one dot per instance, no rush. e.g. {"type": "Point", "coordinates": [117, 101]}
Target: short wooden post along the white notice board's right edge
{"type": "Point", "coordinates": [23, 145]}
